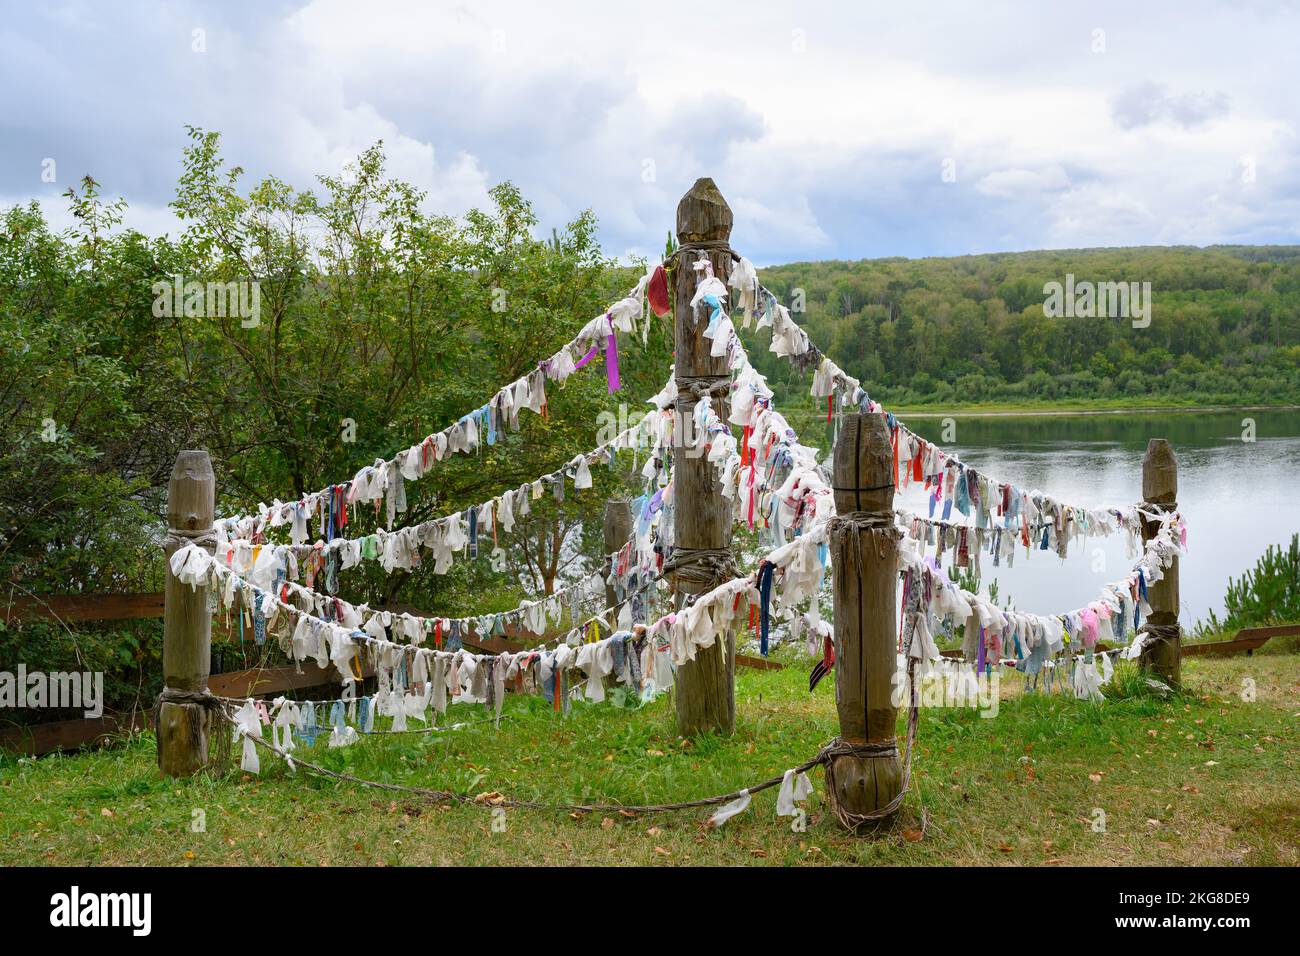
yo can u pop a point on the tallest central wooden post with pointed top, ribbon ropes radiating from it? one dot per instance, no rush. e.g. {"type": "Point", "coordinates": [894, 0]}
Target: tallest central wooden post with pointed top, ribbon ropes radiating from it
{"type": "Point", "coordinates": [705, 687]}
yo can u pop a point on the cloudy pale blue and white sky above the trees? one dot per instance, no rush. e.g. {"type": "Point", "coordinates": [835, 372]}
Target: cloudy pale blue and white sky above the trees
{"type": "Point", "coordinates": [835, 131]}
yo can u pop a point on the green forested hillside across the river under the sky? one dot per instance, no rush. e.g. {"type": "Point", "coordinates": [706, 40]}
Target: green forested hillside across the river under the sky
{"type": "Point", "coordinates": [1225, 327]}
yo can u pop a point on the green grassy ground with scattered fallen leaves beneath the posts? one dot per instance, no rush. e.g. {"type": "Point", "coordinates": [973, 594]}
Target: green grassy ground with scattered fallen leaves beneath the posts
{"type": "Point", "coordinates": [1204, 778]}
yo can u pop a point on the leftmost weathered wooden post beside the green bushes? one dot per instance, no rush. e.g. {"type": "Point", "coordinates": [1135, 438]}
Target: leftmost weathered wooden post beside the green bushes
{"type": "Point", "coordinates": [183, 717]}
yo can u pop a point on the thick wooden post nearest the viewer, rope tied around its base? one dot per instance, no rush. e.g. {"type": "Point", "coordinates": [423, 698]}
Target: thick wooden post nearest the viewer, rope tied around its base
{"type": "Point", "coordinates": [865, 557]}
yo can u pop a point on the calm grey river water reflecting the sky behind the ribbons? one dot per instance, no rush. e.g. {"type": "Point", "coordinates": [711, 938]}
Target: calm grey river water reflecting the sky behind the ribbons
{"type": "Point", "coordinates": [1237, 491]}
